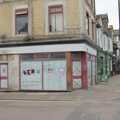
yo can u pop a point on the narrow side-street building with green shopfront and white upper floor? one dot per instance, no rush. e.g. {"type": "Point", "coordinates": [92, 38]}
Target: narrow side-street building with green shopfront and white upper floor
{"type": "Point", "coordinates": [105, 49]}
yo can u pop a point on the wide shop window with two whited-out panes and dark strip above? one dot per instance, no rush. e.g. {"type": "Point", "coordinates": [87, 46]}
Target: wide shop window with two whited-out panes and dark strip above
{"type": "Point", "coordinates": [43, 71]}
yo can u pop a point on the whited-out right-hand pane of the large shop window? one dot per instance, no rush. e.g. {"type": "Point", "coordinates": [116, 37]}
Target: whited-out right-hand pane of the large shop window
{"type": "Point", "coordinates": [55, 75]}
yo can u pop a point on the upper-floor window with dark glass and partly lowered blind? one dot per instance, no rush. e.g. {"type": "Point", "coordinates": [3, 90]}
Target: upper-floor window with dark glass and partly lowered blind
{"type": "Point", "coordinates": [21, 21]}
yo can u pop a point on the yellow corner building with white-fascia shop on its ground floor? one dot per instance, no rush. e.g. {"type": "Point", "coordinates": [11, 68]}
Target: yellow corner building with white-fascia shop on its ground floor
{"type": "Point", "coordinates": [47, 45]}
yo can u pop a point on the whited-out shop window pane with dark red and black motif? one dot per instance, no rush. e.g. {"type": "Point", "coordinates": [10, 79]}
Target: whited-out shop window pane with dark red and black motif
{"type": "Point", "coordinates": [31, 75]}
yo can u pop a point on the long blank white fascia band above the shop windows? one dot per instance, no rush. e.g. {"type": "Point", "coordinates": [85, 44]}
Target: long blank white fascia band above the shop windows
{"type": "Point", "coordinates": [49, 48]}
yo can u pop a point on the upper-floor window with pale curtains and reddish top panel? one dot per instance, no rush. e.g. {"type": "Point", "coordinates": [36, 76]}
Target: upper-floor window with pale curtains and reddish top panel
{"type": "Point", "coordinates": [55, 18]}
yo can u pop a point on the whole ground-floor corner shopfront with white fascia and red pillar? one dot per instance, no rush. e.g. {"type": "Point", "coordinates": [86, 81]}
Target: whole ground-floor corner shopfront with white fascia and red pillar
{"type": "Point", "coordinates": [60, 67]}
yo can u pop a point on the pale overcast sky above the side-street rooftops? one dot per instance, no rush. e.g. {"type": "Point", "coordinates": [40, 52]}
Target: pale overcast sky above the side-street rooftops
{"type": "Point", "coordinates": [110, 7]}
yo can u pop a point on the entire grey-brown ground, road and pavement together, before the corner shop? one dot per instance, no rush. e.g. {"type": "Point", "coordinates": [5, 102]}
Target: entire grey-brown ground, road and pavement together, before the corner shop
{"type": "Point", "coordinates": [100, 102]}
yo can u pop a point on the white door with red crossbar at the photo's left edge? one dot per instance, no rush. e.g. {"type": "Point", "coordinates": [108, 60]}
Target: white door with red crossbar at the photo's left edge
{"type": "Point", "coordinates": [3, 76]}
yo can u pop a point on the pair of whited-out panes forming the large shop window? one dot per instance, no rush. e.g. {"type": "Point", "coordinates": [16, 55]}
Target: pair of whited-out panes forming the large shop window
{"type": "Point", "coordinates": [43, 75]}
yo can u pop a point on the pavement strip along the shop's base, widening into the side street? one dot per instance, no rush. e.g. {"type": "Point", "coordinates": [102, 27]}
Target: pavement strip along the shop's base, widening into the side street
{"type": "Point", "coordinates": [99, 92]}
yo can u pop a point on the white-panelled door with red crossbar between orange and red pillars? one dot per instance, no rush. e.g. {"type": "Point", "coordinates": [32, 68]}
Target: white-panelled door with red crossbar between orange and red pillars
{"type": "Point", "coordinates": [77, 74]}
